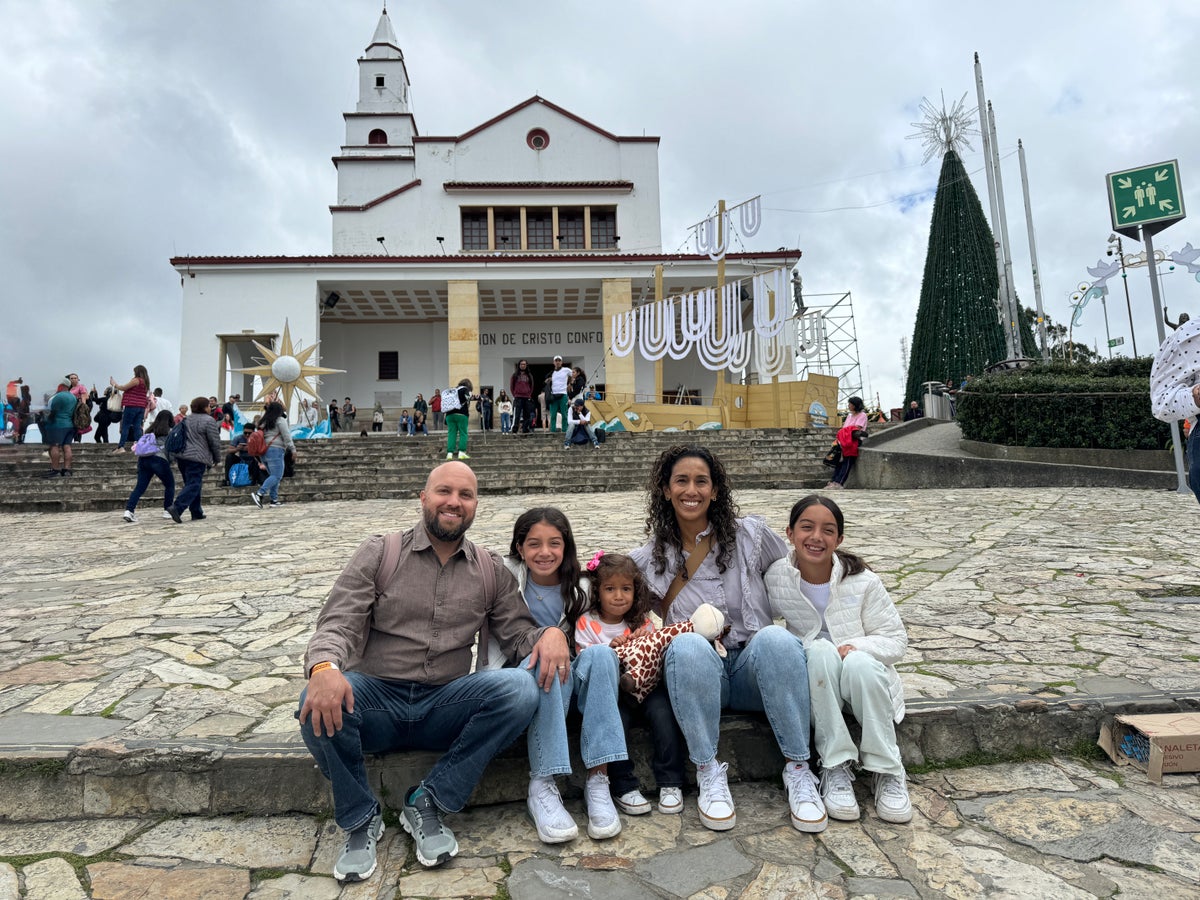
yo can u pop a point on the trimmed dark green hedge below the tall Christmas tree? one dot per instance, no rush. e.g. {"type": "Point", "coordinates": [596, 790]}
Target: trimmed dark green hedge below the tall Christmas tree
{"type": "Point", "coordinates": [1097, 405]}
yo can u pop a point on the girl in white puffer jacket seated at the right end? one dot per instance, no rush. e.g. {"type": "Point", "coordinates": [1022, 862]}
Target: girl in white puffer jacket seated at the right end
{"type": "Point", "coordinates": [854, 638]}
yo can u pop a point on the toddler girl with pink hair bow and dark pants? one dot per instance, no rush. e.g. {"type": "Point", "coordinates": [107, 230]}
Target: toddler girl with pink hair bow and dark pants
{"type": "Point", "coordinates": [621, 602]}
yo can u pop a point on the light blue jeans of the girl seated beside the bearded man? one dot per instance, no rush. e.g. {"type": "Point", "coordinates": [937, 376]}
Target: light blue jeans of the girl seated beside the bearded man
{"type": "Point", "coordinates": [595, 682]}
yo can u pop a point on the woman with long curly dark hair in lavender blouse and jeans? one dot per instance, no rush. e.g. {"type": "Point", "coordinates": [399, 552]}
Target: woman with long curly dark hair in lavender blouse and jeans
{"type": "Point", "coordinates": [700, 551]}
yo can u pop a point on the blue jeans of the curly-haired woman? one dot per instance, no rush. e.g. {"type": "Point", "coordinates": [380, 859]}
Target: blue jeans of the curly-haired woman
{"type": "Point", "coordinates": [770, 675]}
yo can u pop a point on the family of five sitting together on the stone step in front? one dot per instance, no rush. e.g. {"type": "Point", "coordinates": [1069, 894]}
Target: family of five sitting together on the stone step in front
{"type": "Point", "coordinates": [470, 651]}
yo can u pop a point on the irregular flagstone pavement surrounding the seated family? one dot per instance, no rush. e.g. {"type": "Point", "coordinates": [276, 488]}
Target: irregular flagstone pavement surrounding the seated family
{"type": "Point", "coordinates": [141, 659]}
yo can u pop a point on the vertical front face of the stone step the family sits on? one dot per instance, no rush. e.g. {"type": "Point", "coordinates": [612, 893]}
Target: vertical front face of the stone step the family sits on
{"type": "Point", "coordinates": [275, 775]}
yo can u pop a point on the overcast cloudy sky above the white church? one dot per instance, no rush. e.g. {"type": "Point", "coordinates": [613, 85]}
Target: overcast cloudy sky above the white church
{"type": "Point", "coordinates": [137, 130]}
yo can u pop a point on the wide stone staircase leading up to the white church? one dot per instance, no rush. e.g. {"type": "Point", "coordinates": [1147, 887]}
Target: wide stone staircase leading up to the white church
{"type": "Point", "coordinates": [391, 467]}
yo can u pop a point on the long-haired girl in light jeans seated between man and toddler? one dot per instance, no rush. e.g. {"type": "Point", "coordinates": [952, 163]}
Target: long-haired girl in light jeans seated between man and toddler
{"type": "Point", "coordinates": [547, 565]}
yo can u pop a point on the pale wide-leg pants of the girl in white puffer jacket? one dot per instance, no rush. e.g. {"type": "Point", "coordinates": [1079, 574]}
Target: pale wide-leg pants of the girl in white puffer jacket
{"type": "Point", "coordinates": [862, 682]}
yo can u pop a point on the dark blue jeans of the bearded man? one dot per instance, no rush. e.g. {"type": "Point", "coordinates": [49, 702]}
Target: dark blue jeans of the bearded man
{"type": "Point", "coordinates": [472, 718]}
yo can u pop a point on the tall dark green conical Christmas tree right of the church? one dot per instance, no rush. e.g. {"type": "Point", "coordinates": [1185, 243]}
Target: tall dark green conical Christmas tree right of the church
{"type": "Point", "coordinates": [958, 332]}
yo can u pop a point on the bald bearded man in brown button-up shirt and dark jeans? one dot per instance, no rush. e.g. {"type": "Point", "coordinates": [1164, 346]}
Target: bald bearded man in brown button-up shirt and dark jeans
{"type": "Point", "coordinates": [388, 670]}
